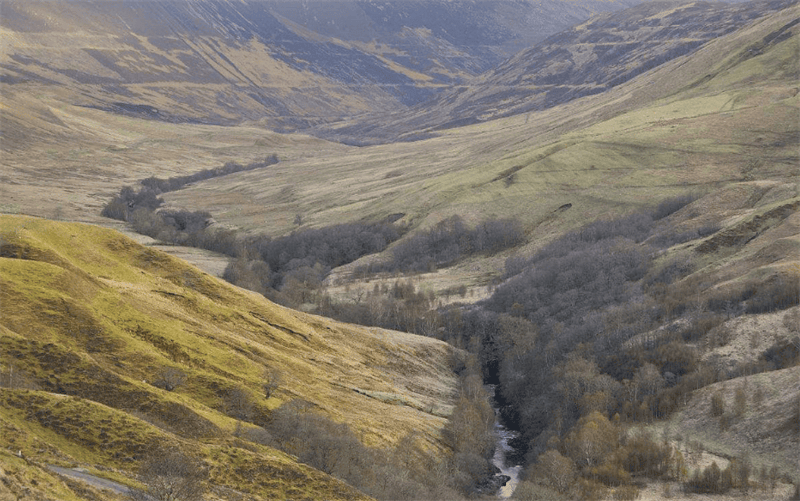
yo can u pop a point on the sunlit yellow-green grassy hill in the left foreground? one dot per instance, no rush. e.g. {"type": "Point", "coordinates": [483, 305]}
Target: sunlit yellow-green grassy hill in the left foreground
{"type": "Point", "coordinates": [90, 313]}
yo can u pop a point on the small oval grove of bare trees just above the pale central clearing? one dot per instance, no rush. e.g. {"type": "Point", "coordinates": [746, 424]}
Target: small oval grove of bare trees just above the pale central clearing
{"type": "Point", "coordinates": [447, 242]}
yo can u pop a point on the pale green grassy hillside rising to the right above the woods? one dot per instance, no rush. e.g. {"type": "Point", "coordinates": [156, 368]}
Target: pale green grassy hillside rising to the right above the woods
{"type": "Point", "coordinates": [727, 114]}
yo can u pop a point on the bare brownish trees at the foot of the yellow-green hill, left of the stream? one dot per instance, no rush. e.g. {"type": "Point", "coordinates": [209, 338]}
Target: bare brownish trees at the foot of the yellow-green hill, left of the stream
{"type": "Point", "coordinates": [407, 471]}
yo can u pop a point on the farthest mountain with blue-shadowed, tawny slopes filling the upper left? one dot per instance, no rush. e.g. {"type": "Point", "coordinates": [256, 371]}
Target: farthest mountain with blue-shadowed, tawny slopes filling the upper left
{"type": "Point", "coordinates": [288, 63]}
